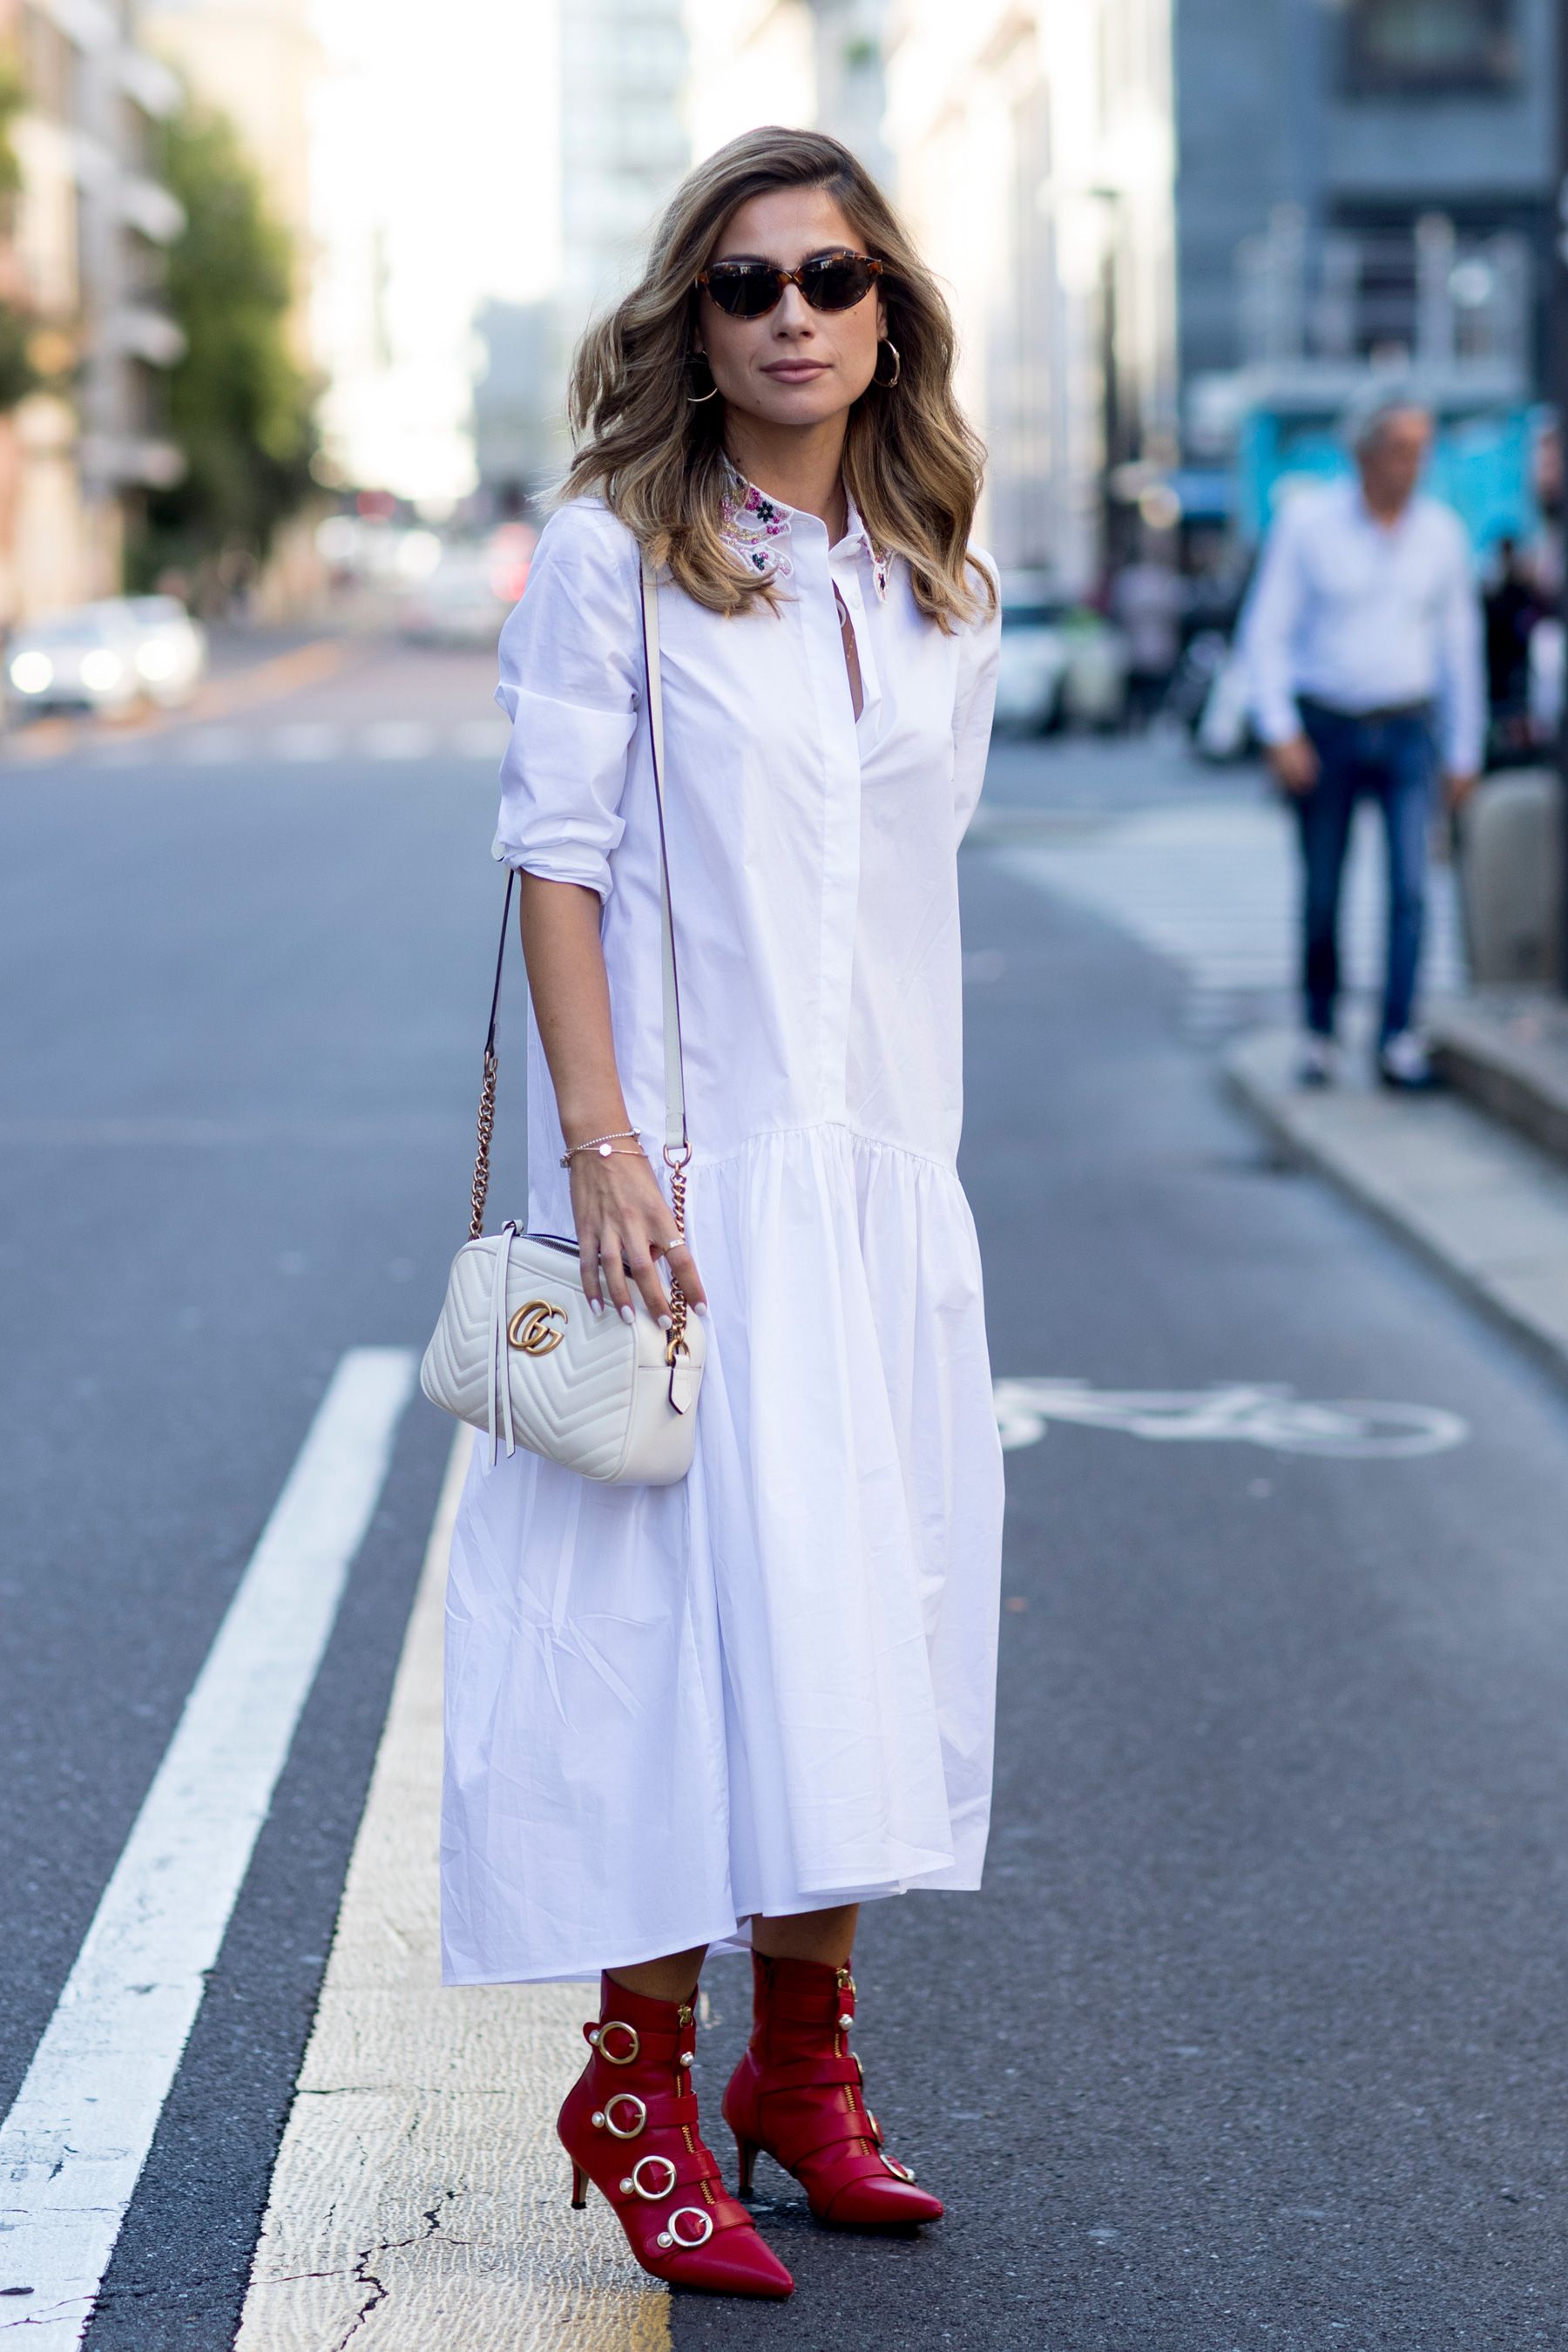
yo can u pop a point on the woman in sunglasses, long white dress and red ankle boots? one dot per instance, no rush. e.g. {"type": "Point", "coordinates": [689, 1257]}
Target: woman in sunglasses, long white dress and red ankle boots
{"type": "Point", "coordinates": [739, 1709]}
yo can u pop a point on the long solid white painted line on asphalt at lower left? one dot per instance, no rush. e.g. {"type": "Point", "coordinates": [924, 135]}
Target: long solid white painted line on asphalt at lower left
{"type": "Point", "coordinates": [83, 2120]}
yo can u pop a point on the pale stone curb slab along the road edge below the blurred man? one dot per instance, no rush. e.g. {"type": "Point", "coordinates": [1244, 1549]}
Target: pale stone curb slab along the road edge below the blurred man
{"type": "Point", "coordinates": [1477, 1203]}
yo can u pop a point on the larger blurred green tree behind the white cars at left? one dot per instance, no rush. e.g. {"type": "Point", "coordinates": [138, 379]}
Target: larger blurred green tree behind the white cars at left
{"type": "Point", "coordinates": [241, 408]}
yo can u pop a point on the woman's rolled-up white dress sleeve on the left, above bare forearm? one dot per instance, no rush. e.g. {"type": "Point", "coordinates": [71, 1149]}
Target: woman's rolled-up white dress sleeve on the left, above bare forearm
{"type": "Point", "coordinates": [570, 686]}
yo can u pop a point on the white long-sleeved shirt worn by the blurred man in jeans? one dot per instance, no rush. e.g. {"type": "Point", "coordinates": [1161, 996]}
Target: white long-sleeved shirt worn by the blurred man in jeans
{"type": "Point", "coordinates": [1367, 615]}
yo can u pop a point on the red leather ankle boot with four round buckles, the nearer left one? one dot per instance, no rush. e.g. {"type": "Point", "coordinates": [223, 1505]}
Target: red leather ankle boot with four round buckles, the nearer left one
{"type": "Point", "coordinates": [631, 2127]}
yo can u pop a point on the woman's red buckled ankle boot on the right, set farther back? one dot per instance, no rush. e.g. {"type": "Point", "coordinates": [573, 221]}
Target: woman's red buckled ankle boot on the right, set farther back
{"type": "Point", "coordinates": [798, 2097]}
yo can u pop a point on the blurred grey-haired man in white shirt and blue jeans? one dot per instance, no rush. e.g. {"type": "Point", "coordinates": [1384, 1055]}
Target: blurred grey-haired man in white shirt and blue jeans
{"type": "Point", "coordinates": [1365, 650]}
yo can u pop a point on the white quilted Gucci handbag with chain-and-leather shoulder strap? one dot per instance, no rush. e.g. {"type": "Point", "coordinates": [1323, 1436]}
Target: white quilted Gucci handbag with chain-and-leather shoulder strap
{"type": "Point", "coordinates": [516, 1351]}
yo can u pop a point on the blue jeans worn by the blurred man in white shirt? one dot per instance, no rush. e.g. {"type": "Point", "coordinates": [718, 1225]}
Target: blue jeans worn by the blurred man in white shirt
{"type": "Point", "coordinates": [1391, 761]}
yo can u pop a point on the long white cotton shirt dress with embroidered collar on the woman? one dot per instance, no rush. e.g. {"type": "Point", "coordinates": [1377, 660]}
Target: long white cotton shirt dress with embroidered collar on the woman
{"type": "Point", "coordinates": [765, 1690]}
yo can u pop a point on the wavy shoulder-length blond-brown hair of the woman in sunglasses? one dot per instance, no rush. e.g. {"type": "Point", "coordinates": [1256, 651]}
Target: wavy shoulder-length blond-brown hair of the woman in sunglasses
{"type": "Point", "coordinates": [657, 457]}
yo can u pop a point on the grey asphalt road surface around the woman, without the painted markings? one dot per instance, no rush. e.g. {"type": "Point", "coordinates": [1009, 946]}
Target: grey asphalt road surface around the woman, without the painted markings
{"type": "Point", "coordinates": [1257, 2033]}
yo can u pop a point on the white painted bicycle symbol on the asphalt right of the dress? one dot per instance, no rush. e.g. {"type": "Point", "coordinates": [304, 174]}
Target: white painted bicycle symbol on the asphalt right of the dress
{"type": "Point", "coordinates": [1245, 1412]}
